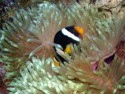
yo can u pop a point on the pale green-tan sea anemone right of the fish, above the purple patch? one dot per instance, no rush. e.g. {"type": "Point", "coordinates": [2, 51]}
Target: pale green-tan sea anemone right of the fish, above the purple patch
{"type": "Point", "coordinates": [102, 33]}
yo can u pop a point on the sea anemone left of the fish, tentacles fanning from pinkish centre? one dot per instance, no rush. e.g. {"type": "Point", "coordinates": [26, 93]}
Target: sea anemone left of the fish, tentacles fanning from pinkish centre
{"type": "Point", "coordinates": [23, 37]}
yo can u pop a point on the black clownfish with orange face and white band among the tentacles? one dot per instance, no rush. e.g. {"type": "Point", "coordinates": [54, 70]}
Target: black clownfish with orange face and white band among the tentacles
{"type": "Point", "coordinates": [65, 37]}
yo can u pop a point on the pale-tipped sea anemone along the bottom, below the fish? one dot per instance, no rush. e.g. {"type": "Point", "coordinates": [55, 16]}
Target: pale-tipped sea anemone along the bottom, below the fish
{"type": "Point", "coordinates": [78, 76]}
